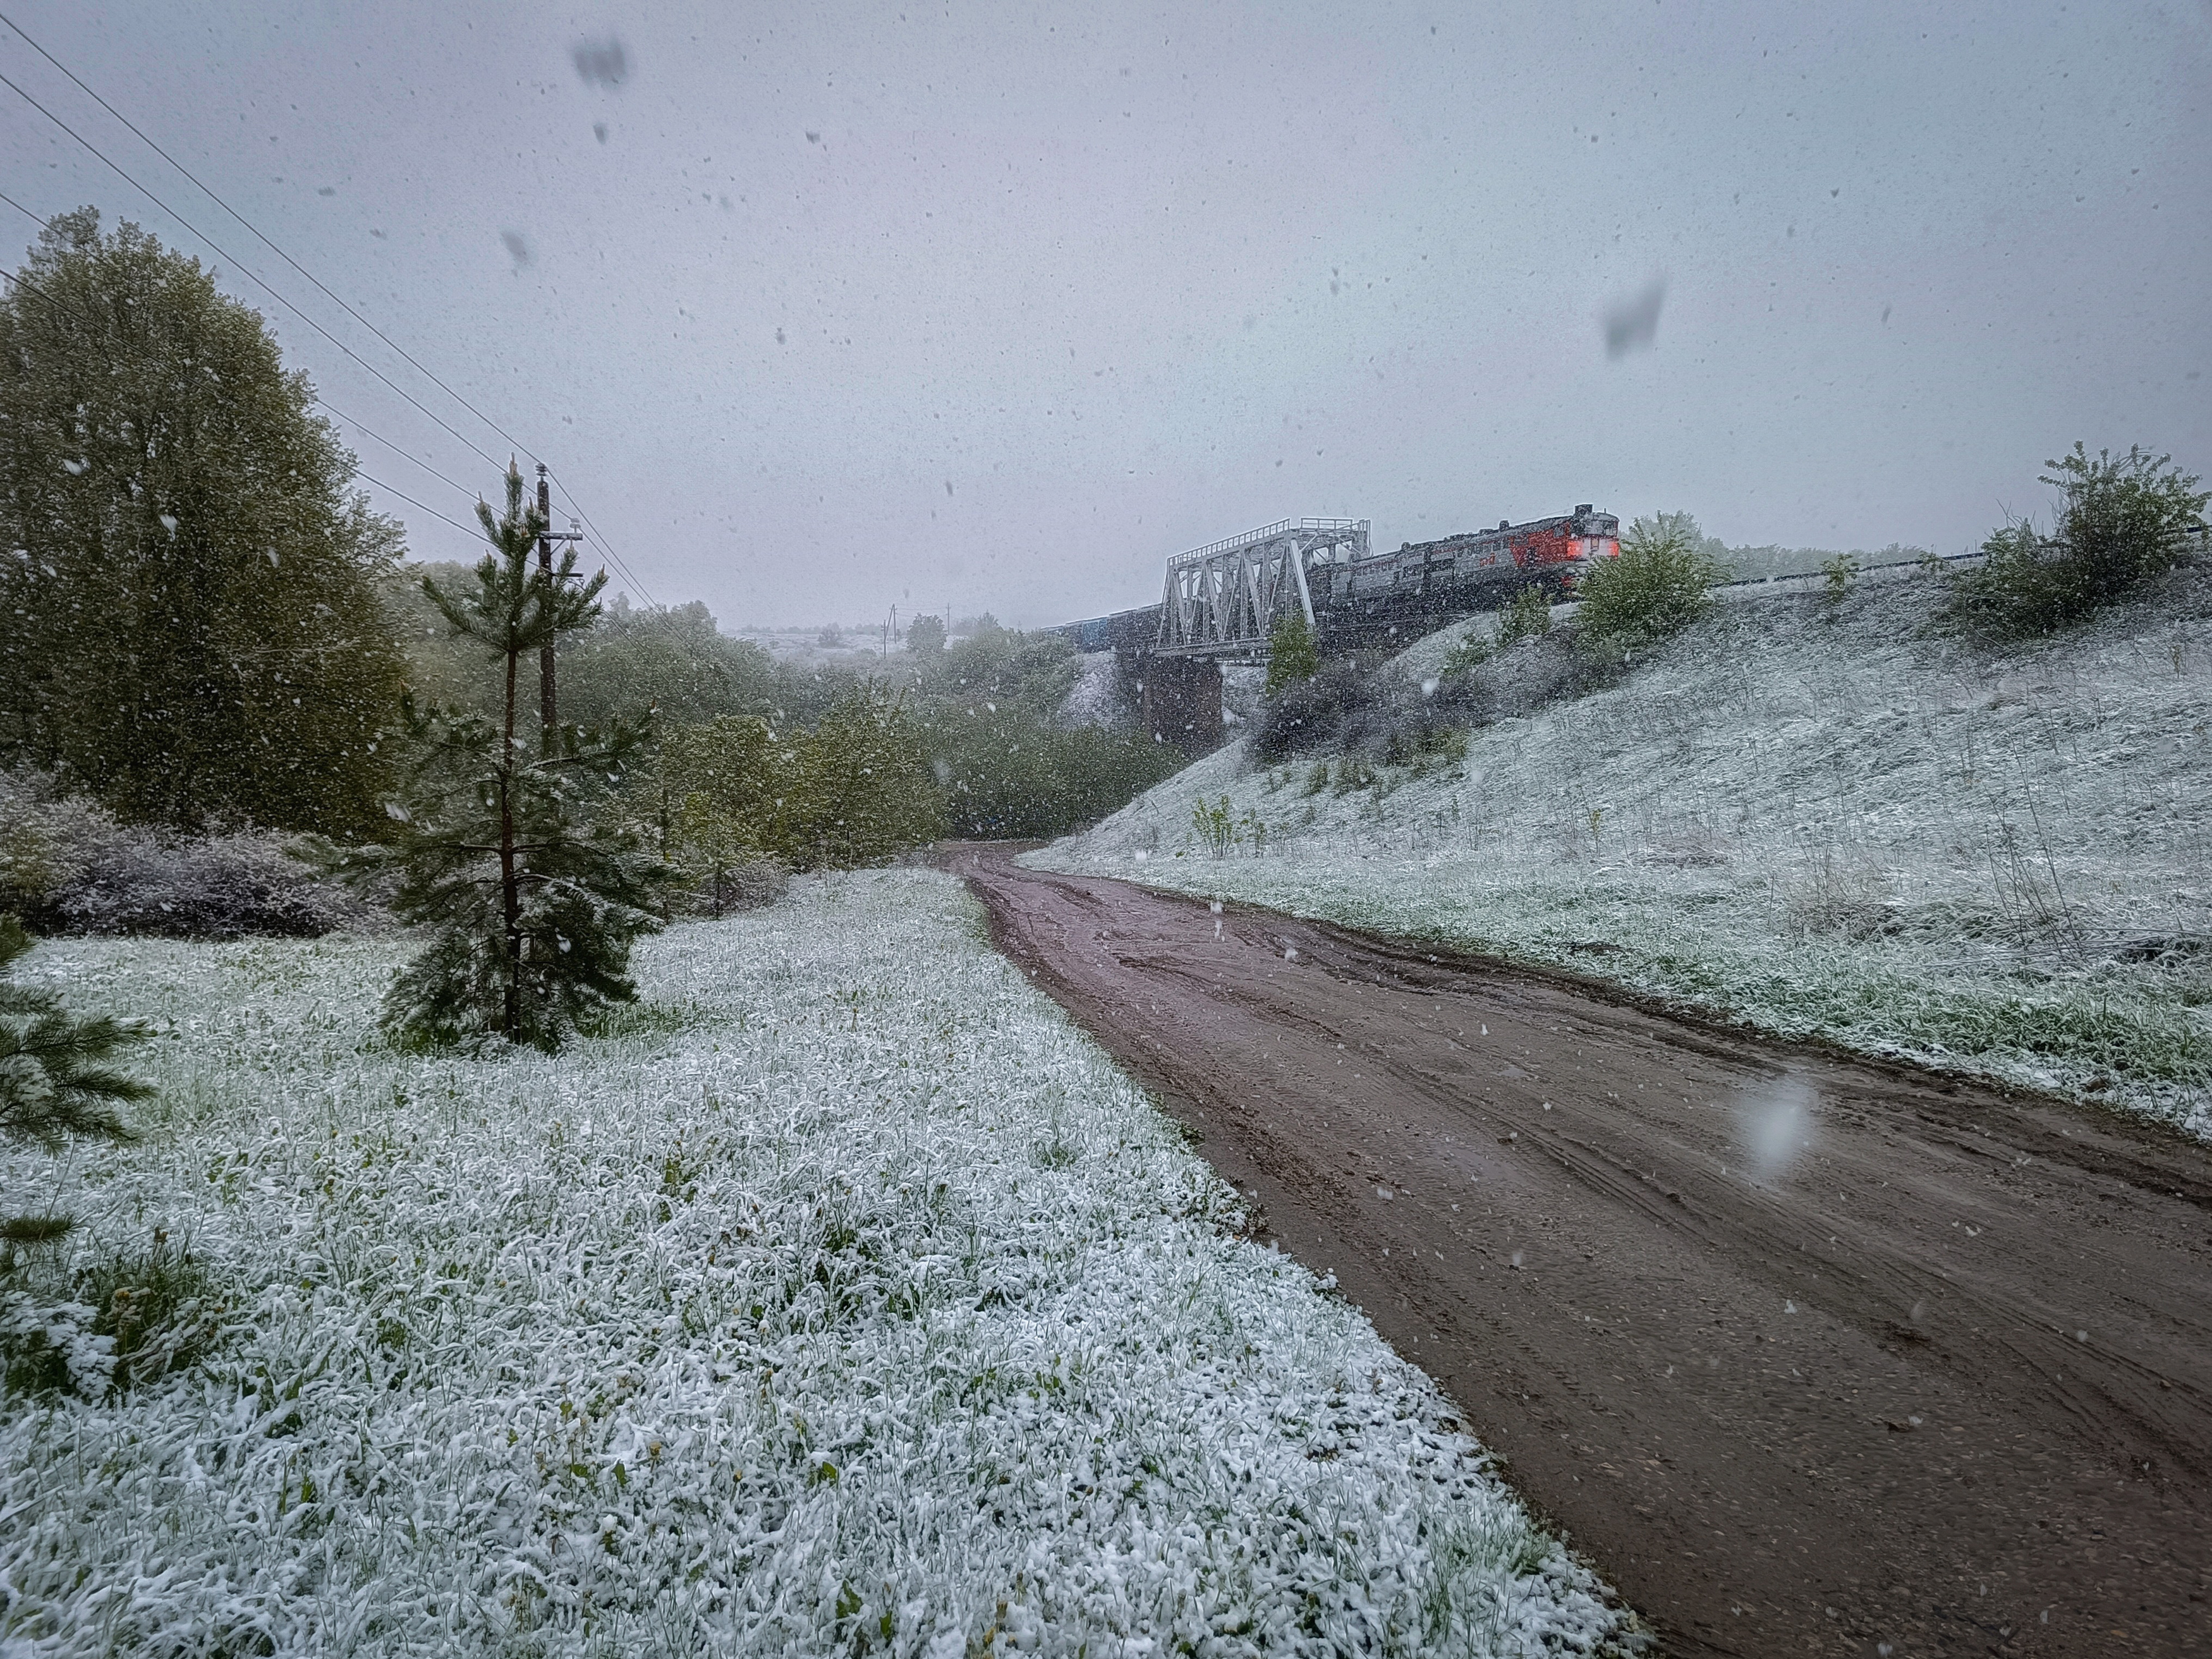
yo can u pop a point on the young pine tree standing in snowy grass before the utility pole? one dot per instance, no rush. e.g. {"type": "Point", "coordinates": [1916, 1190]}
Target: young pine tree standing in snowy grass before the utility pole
{"type": "Point", "coordinates": [534, 899]}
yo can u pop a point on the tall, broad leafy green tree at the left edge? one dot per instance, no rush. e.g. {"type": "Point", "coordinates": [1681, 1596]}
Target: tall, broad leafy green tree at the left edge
{"type": "Point", "coordinates": [191, 583]}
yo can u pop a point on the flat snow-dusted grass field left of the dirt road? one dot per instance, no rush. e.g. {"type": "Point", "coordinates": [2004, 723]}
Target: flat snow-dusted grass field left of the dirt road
{"type": "Point", "coordinates": [846, 1300]}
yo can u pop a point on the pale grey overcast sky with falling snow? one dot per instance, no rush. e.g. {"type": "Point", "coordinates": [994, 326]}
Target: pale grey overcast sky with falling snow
{"type": "Point", "coordinates": [824, 309]}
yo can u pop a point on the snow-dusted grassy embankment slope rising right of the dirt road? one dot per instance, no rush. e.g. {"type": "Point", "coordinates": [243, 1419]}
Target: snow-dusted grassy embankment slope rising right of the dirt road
{"type": "Point", "coordinates": [1808, 817]}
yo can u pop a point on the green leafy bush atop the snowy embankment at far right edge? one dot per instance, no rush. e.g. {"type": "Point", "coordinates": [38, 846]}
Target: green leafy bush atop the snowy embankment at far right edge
{"type": "Point", "coordinates": [2122, 521]}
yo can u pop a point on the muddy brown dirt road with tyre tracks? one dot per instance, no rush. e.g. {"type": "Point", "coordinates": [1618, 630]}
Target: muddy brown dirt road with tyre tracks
{"type": "Point", "coordinates": [1806, 1355]}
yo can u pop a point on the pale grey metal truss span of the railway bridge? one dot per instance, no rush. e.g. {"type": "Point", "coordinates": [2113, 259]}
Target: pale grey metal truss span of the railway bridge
{"type": "Point", "coordinates": [1224, 601]}
